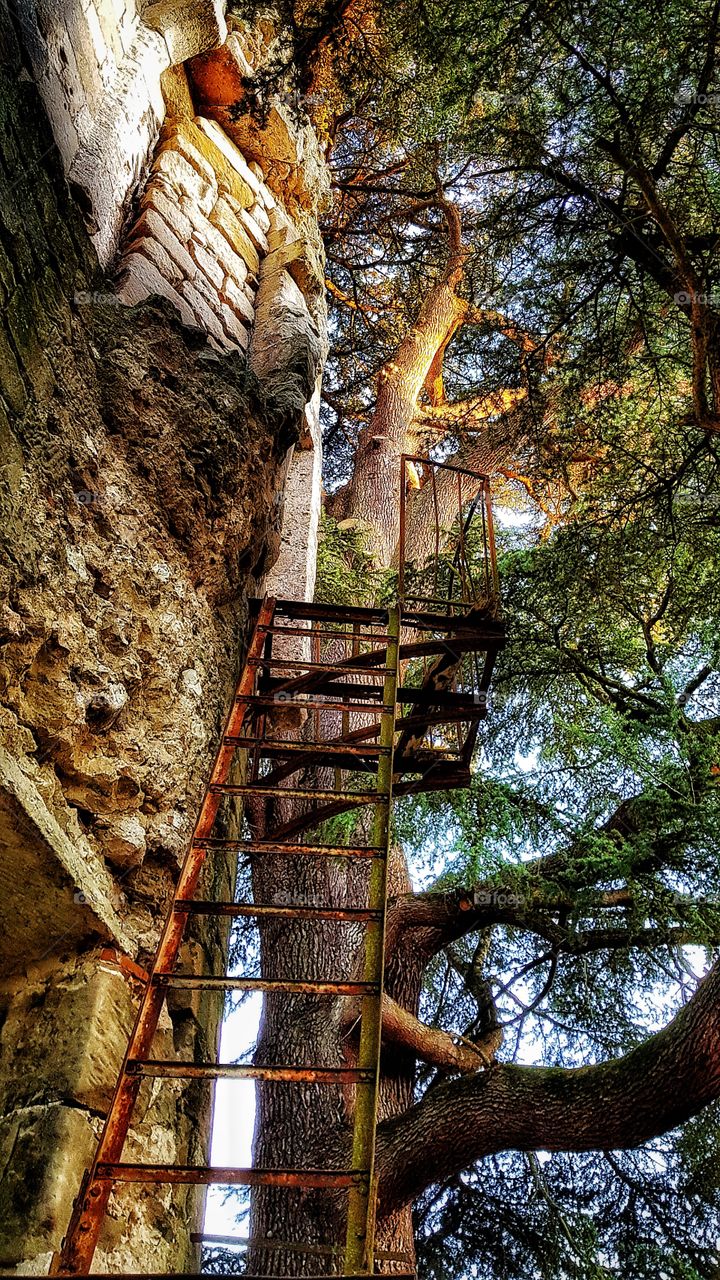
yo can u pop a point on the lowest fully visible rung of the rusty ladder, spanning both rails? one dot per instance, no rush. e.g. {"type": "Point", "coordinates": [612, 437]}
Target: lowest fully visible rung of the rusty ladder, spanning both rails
{"type": "Point", "coordinates": [204, 1177]}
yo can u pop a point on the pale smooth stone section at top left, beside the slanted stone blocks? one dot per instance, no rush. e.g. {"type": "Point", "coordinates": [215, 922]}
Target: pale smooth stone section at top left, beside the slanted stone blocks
{"type": "Point", "coordinates": [98, 66]}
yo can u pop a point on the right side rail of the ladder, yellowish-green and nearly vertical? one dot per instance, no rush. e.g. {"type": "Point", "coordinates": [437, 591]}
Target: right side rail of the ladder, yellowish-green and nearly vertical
{"type": "Point", "coordinates": [362, 1200]}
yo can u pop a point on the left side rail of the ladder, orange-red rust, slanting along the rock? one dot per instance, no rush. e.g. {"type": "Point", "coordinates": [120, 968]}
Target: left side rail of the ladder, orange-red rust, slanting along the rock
{"type": "Point", "coordinates": [79, 1249]}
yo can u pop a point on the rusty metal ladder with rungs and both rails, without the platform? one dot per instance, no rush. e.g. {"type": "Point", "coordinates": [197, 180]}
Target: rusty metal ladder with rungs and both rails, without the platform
{"type": "Point", "coordinates": [257, 689]}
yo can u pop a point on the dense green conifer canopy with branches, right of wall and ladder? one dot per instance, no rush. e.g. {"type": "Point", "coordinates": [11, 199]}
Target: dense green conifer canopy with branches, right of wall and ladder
{"type": "Point", "coordinates": [523, 246]}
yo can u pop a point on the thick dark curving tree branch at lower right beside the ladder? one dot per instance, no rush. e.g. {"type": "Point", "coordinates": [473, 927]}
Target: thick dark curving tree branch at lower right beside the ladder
{"type": "Point", "coordinates": [613, 1107]}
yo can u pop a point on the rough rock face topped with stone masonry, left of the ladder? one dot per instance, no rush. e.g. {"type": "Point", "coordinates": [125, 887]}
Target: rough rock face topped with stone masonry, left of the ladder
{"type": "Point", "coordinates": [148, 424]}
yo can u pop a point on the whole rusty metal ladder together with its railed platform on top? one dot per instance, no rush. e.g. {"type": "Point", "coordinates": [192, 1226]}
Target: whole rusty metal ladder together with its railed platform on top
{"type": "Point", "coordinates": [336, 708]}
